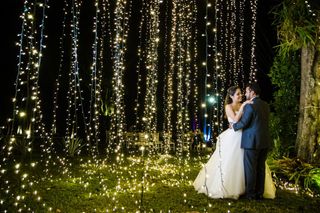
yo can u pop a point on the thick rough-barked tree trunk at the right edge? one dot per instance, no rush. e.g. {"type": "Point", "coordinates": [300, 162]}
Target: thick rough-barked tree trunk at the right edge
{"type": "Point", "coordinates": [308, 134]}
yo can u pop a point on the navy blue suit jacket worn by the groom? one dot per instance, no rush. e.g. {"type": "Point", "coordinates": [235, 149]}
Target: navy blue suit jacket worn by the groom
{"type": "Point", "coordinates": [255, 125]}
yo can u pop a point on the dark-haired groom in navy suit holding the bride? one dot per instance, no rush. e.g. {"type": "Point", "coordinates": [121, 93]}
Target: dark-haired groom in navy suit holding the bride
{"type": "Point", "coordinates": [255, 141]}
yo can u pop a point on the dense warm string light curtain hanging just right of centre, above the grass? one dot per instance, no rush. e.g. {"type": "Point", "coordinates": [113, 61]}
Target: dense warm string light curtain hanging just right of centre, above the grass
{"type": "Point", "coordinates": [180, 79]}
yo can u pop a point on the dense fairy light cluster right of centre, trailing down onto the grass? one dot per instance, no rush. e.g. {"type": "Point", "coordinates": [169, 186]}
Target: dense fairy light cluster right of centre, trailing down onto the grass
{"type": "Point", "coordinates": [178, 82]}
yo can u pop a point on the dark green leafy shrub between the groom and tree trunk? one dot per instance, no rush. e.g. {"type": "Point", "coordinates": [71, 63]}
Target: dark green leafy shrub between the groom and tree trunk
{"type": "Point", "coordinates": [285, 76]}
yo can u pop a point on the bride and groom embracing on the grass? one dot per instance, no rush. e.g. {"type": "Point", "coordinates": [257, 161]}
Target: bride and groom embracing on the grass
{"type": "Point", "coordinates": [238, 165]}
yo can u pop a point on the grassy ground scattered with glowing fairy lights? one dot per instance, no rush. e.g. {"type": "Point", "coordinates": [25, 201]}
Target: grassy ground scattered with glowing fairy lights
{"type": "Point", "coordinates": [161, 183]}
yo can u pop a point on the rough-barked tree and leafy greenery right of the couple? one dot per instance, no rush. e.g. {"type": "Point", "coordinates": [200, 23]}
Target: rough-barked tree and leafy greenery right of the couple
{"type": "Point", "coordinates": [298, 29]}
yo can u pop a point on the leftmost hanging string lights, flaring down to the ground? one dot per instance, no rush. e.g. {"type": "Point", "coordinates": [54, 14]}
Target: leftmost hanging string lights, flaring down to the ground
{"type": "Point", "coordinates": [27, 115]}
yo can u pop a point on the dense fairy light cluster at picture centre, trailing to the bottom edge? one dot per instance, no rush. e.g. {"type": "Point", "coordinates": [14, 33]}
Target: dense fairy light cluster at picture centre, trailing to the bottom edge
{"type": "Point", "coordinates": [149, 25]}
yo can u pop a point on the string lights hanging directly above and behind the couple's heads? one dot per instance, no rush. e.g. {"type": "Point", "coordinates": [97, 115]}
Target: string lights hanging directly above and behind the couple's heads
{"type": "Point", "coordinates": [229, 32]}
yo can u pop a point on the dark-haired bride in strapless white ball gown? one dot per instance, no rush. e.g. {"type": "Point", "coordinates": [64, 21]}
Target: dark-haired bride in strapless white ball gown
{"type": "Point", "coordinates": [223, 175]}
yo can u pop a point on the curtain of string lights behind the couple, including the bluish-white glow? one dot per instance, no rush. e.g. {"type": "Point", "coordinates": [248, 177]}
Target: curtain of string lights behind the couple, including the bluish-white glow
{"type": "Point", "coordinates": [228, 65]}
